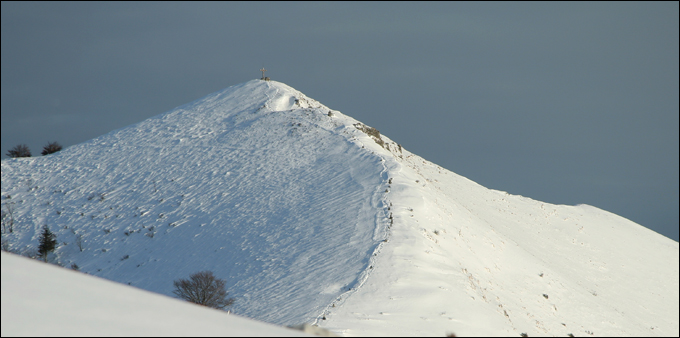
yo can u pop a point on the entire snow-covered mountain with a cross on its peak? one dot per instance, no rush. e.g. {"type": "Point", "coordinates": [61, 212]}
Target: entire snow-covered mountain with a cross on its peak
{"type": "Point", "coordinates": [312, 216]}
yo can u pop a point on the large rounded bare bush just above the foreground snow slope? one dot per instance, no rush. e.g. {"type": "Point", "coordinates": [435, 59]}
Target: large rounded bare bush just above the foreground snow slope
{"type": "Point", "coordinates": [203, 288]}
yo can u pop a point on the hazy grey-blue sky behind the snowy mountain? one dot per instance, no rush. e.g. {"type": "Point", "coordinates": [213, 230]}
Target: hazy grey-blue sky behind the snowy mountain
{"type": "Point", "coordinates": [565, 103]}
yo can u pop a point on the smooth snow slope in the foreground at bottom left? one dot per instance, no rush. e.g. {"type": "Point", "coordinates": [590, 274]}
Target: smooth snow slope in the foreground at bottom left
{"type": "Point", "coordinates": [44, 300]}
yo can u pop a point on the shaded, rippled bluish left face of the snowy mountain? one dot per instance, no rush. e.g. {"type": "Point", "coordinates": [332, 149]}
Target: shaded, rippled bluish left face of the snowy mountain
{"type": "Point", "coordinates": [255, 183]}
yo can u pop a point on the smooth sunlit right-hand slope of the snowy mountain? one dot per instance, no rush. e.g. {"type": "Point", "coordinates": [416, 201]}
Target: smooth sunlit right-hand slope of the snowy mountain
{"type": "Point", "coordinates": [473, 261]}
